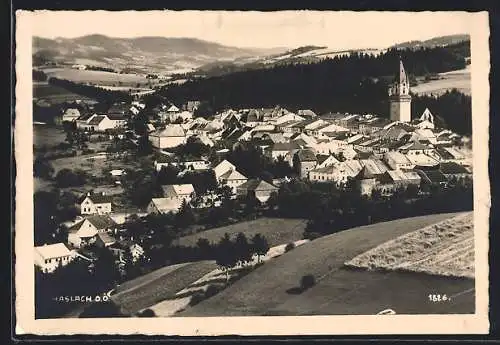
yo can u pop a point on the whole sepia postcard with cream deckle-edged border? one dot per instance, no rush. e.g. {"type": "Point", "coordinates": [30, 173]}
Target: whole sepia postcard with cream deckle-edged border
{"type": "Point", "coordinates": [251, 173]}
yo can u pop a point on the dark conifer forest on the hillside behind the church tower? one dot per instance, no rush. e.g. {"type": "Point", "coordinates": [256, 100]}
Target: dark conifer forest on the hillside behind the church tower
{"type": "Point", "coordinates": [357, 83]}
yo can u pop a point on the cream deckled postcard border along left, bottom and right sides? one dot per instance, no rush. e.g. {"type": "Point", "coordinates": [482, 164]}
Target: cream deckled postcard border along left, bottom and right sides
{"type": "Point", "coordinates": [270, 325]}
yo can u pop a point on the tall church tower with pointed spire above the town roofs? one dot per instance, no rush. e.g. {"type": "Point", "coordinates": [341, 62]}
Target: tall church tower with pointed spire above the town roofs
{"type": "Point", "coordinates": [399, 97]}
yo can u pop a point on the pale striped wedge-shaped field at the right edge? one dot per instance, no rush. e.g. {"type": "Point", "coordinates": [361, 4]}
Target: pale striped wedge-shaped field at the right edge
{"type": "Point", "coordinates": [446, 248]}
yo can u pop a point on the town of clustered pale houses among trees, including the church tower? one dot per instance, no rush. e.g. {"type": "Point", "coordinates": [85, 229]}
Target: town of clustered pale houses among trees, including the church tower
{"type": "Point", "coordinates": [131, 181]}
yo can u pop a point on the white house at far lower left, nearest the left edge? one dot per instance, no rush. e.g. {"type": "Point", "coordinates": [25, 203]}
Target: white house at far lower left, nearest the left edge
{"type": "Point", "coordinates": [50, 256]}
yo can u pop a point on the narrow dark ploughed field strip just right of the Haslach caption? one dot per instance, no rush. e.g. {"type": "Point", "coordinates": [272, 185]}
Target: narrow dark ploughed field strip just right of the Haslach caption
{"type": "Point", "coordinates": [157, 286]}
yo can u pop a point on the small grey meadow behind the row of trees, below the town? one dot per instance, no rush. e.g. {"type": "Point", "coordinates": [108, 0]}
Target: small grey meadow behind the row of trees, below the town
{"type": "Point", "coordinates": [276, 230]}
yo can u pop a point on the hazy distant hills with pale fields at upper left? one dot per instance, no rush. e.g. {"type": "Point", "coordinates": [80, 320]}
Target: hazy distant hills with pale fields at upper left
{"type": "Point", "coordinates": [141, 54]}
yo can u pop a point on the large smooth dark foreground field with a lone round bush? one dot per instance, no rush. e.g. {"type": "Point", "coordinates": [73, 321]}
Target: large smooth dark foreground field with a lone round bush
{"type": "Point", "coordinates": [272, 289]}
